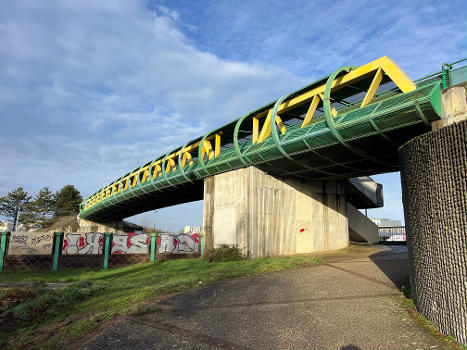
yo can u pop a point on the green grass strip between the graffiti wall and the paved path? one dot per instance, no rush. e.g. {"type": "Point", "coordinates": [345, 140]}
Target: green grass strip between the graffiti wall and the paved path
{"type": "Point", "coordinates": [97, 296]}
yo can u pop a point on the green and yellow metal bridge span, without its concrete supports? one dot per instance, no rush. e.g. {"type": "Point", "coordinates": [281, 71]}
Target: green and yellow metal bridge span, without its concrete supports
{"type": "Point", "coordinates": [348, 124]}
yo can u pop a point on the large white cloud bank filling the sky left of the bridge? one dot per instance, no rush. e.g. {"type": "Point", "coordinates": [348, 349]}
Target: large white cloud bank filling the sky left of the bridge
{"type": "Point", "coordinates": [93, 89]}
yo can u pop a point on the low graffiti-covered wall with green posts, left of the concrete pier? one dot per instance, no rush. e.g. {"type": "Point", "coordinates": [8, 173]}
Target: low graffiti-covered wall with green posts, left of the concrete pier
{"type": "Point", "coordinates": [76, 250]}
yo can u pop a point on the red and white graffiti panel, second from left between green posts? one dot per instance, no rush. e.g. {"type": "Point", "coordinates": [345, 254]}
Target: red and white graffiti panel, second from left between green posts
{"type": "Point", "coordinates": [83, 243]}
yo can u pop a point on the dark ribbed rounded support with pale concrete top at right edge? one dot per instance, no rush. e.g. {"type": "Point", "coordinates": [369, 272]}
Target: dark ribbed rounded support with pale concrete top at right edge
{"type": "Point", "coordinates": [434, 193]}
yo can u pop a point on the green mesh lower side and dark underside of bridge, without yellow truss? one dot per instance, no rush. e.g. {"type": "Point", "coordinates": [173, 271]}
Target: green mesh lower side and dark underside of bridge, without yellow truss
{"type": "Point", "coordinates": [366, 143]}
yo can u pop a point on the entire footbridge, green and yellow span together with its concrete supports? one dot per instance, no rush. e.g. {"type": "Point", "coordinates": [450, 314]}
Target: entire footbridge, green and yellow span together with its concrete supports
{"type": "Point", "coordinates": [289, 177]}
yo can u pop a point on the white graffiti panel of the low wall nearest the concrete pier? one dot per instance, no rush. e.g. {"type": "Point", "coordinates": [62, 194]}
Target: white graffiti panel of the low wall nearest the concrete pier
{"type": "Point", "coordinates": [180, 243]}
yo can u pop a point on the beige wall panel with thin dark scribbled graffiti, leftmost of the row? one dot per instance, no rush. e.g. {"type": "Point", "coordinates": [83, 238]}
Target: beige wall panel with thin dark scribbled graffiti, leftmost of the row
{"type": "Point", "coordinates": [30, 243]}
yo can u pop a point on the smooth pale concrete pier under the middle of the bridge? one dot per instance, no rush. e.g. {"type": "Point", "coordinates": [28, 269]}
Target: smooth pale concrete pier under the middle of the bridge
{"type": "Point", "coordinates": [266, 216]}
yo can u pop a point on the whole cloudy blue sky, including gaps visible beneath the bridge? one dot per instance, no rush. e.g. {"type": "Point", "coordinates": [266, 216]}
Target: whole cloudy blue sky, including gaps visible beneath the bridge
{"type": "Point", "coordinates": [92, 89]}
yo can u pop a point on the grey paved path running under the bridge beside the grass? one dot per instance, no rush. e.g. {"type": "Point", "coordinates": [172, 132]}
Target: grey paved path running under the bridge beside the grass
{"type": "Point", "coordinates": [353, 304]}
